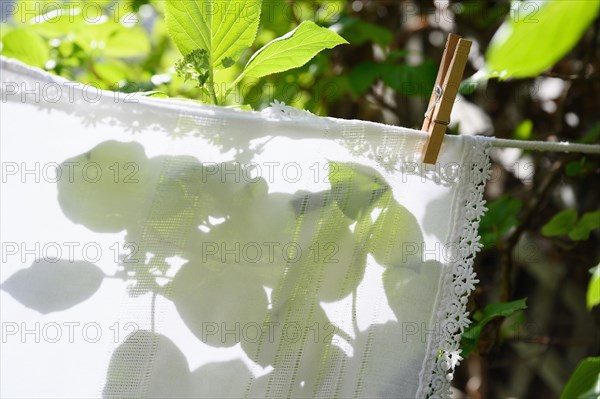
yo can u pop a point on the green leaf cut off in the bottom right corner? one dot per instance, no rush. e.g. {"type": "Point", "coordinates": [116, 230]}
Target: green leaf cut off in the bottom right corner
{"type": "Point", "coordinates": [585, 381]}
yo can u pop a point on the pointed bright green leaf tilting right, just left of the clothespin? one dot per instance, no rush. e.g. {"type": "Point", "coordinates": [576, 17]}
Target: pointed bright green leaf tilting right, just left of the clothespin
{"type": "Point", "coordinates": [292, 50]}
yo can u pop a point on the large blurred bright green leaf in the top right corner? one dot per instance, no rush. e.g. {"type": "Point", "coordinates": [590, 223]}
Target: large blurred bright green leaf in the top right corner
{"type": "Point", "coordinates": [537, 35]}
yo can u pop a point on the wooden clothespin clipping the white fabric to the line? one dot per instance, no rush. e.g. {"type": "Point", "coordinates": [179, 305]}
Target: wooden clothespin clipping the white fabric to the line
{"type": "Point", "coordinates": [442, 99]}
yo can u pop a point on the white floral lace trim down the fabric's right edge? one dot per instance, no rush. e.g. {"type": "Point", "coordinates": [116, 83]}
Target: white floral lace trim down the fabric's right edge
{"type": "Point", "coordinates": [444, 350]}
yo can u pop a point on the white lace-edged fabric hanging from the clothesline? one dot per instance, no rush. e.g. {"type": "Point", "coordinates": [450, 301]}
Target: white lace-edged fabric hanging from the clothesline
{"type": "Point", "coordinates": [193, 251]}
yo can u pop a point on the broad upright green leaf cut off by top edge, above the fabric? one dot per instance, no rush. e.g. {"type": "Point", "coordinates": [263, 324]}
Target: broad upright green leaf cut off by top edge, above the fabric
{"type": "Point", "coordinates": [224, 28]}
